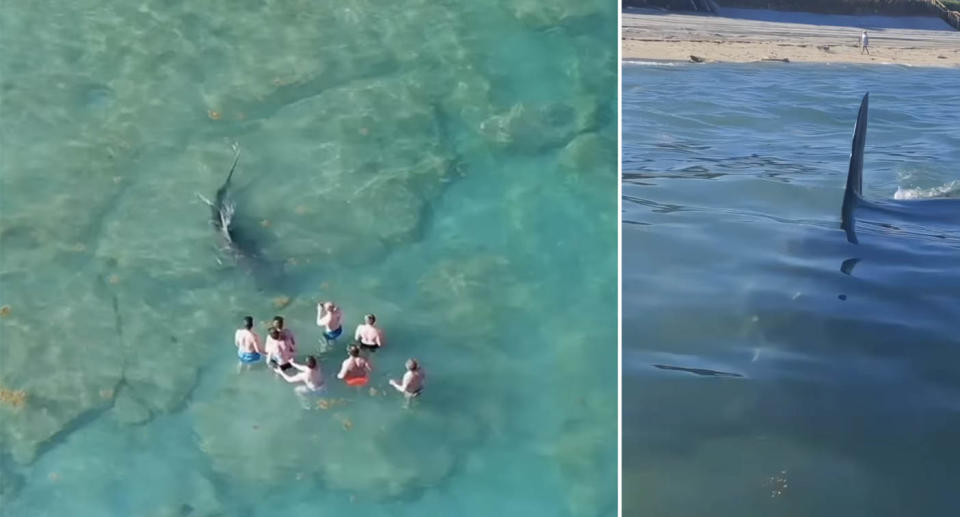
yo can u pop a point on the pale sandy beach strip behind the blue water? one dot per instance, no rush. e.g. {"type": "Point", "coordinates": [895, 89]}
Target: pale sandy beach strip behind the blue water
{"type": "Point", "coordinates": [658, 35]}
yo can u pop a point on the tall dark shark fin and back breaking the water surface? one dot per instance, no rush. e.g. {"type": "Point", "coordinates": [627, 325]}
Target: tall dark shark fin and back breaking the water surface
{"type": "Point", "coordinates": [943, 210]}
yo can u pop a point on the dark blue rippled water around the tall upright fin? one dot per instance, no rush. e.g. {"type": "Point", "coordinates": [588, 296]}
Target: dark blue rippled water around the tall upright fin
{"type": "Point", "coordinates": [822, 376]}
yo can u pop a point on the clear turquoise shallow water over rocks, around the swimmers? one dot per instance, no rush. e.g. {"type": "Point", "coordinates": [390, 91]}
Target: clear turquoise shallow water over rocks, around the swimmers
{"type": "Point", "coordinates": [449, 166]}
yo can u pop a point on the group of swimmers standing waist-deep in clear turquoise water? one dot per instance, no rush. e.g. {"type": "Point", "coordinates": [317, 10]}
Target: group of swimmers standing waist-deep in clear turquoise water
{"type": "Point", "coordinates": [280, 350]}
